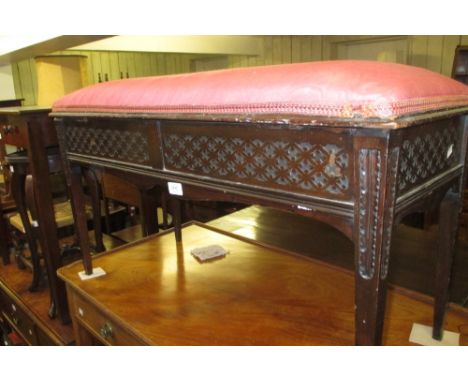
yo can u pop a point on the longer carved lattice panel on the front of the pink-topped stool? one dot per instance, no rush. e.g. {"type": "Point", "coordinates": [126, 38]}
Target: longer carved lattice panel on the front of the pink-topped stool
{"type": "Point", "coordinates": [303, 166]}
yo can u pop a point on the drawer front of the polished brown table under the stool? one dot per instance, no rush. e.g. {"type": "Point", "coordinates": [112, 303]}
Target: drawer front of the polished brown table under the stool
{"type": "Point", "coordinates": [100, 325]}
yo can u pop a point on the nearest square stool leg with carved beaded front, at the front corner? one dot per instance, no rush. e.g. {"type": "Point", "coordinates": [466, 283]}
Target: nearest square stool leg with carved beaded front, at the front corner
{"type": "Point", "coordinates": [374, 215]}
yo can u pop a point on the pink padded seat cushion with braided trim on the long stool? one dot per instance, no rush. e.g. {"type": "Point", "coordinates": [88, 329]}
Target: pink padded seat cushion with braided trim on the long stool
{"type": "Point", "coordinates": [344, 89]}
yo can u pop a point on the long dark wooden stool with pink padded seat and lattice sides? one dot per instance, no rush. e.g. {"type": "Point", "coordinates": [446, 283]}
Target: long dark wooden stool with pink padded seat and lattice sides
{"type": "Point", "coordinates": [358, 145]}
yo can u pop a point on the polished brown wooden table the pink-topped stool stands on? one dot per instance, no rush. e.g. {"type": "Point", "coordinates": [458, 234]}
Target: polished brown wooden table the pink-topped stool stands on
{"type": "Point", "coordinates": [155, 292]}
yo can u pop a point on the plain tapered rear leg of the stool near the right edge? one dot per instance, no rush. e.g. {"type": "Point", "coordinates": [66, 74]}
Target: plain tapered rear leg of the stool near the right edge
{"type": "Point", "coordinates": [448, 222]}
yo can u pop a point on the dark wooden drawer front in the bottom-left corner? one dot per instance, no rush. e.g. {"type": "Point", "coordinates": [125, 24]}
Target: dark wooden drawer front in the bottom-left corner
{"type": "Point", "coordinates": [18, 319]}
